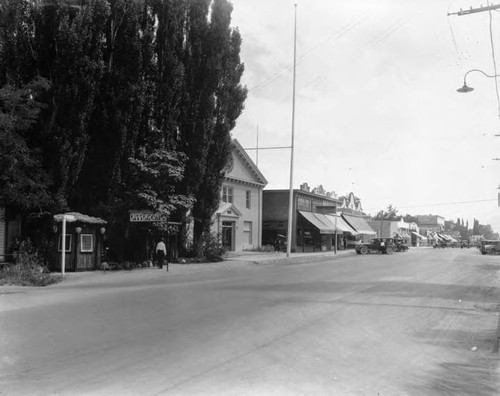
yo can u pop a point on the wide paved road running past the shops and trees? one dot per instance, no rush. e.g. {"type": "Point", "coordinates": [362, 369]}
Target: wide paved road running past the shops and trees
{"type": "Point", "coordinates": [418, 323]}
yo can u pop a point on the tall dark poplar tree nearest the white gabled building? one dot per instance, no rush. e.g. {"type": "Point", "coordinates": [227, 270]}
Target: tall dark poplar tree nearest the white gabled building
{"type": "Point", "coordinates": [213, 99]}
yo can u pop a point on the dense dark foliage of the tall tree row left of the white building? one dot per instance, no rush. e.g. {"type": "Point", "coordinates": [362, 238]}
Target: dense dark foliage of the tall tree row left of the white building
{"type": "Point", "coordinates": [112, 105]}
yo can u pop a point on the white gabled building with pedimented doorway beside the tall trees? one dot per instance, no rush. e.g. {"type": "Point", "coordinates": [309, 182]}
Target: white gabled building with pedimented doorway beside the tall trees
{"type": "Point", "coordinates": [238, 220]}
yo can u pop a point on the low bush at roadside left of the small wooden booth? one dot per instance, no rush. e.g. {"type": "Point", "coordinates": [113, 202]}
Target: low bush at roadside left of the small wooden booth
{"type": "Point", "coordinates": [28, 268]}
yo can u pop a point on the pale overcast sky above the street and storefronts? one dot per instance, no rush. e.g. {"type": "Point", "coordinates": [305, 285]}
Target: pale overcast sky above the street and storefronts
{"type": "Point", "coordinates": [377, 111]}
